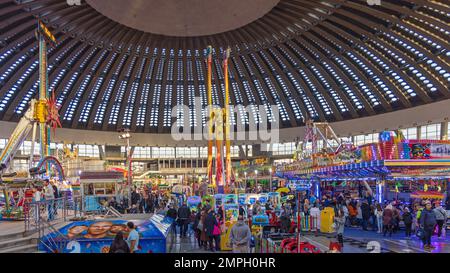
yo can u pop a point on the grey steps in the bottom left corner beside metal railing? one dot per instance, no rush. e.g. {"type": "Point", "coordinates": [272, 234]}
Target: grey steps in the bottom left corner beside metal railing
{"type": "Point", "coordinates": [18, 243]}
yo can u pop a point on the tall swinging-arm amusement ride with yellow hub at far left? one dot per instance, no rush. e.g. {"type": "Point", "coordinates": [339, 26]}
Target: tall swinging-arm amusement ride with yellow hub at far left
{"type": "Point", "coordinates": [42, 113]}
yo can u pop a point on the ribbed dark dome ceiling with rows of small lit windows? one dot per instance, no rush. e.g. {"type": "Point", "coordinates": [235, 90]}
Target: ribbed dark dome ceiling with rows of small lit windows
{"type": "Point", "coordinates": [329, 60]}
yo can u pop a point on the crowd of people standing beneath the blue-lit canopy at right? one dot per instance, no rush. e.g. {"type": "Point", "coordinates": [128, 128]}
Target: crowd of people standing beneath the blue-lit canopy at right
{"type": "Point", "coordinates": [420, 218]}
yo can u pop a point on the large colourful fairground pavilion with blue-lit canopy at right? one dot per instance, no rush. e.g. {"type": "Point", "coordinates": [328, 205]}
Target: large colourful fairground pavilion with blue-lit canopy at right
{"type": "Point", "coordinates": [396, 168]}
